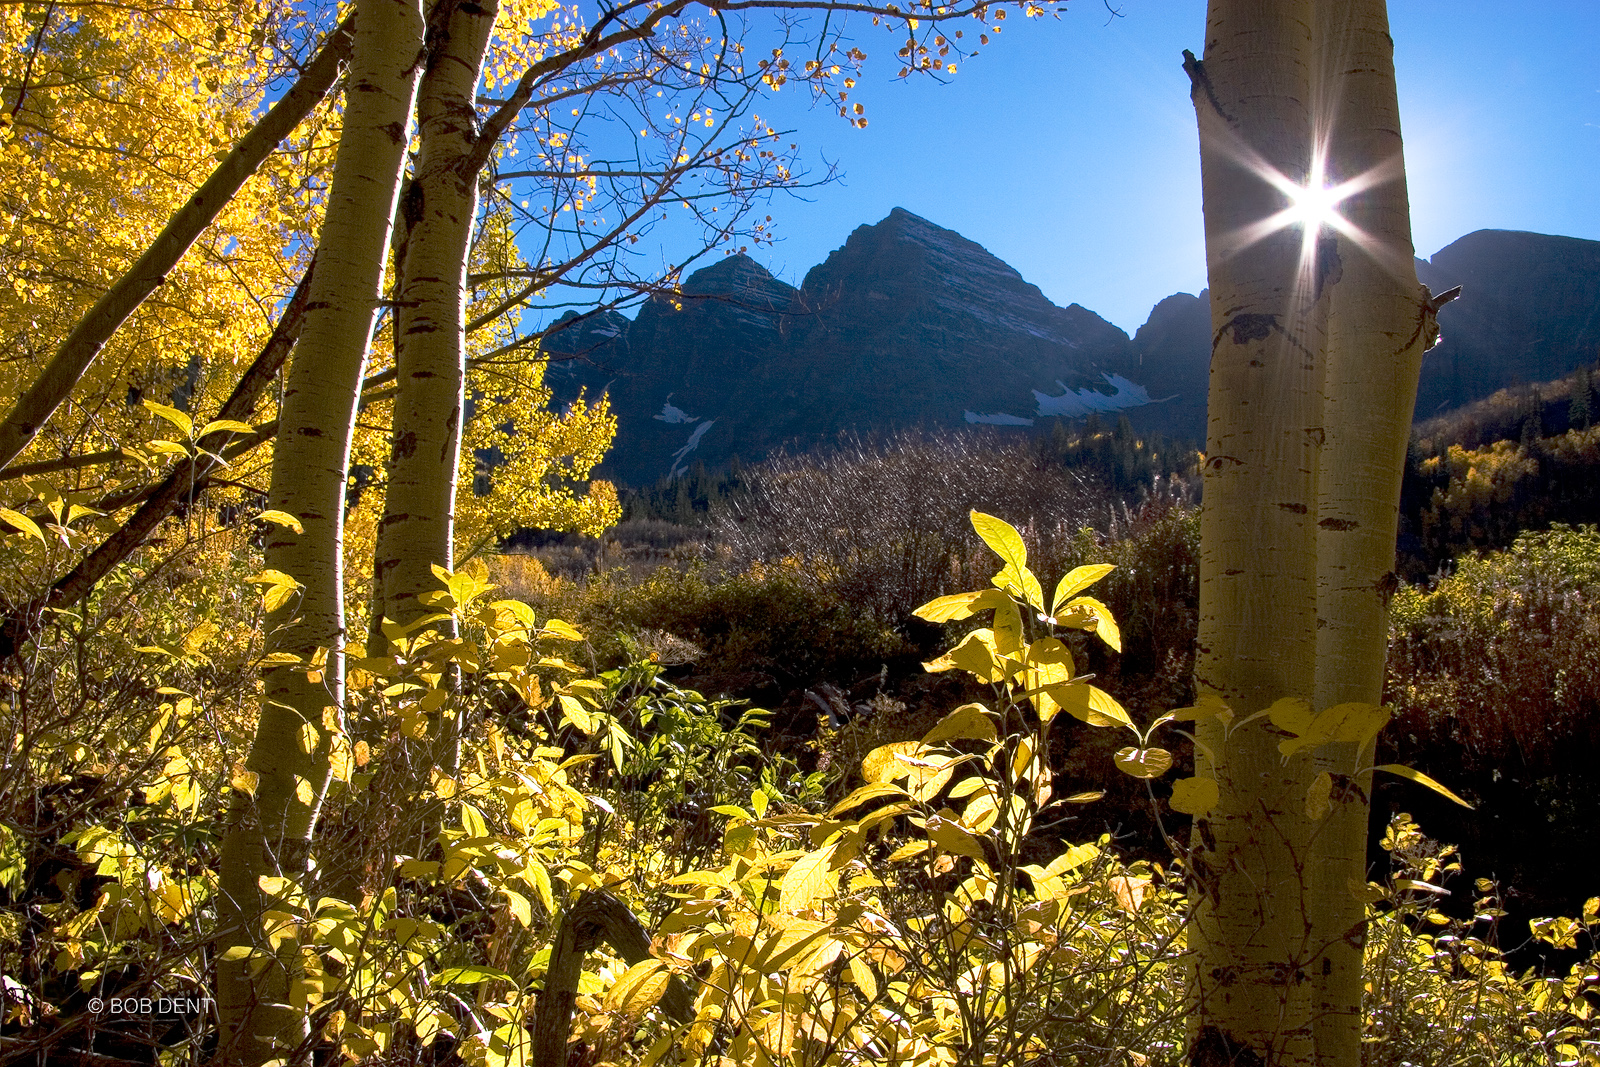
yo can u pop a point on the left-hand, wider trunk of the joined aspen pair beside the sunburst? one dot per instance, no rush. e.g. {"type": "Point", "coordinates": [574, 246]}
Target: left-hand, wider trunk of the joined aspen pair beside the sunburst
{"type": "Point", "coordinates": [1250, 1001]}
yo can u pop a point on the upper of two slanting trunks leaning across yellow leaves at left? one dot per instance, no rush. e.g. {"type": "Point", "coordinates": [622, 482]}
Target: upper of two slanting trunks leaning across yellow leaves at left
{"type": "Point", "coordinates": [78, 353]}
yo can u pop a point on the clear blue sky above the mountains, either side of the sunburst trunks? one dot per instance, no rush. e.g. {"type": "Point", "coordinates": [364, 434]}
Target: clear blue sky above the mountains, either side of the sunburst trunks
{"type": "Point", "coordinates": [1068, 148]}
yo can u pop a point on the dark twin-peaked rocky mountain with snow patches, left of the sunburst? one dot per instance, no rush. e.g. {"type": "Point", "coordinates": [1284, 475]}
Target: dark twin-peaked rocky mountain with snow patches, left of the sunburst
{"type": "Point", "coordinates": [906, 326]}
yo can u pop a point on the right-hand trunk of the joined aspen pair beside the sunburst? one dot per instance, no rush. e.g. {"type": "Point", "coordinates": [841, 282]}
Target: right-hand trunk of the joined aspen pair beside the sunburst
{"type": "Point", "coordinates": [1378, 330]}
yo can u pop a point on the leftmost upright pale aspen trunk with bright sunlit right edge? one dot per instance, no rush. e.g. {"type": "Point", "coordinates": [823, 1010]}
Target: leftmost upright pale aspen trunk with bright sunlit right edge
{"type": "Point", "coordinates": [263, 1012]}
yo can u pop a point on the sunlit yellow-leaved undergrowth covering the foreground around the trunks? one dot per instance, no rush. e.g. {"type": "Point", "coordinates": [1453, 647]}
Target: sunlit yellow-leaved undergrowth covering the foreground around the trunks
{"type": "Point", "coordinates": [921, 903]}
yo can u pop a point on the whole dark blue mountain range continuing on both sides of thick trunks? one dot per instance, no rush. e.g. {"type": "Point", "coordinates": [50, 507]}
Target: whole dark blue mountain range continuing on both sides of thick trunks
{"type": "Point", "coordinates": [910, 324]}
